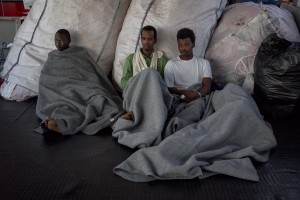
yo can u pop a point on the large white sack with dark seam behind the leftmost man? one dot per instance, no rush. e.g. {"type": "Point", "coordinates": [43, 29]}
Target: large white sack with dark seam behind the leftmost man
{"type": "Point", "coordinates": [94, 25]}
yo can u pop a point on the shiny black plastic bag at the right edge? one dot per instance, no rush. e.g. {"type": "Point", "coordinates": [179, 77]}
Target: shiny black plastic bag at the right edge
{"type": "Point", "coordinates": [277, 72]}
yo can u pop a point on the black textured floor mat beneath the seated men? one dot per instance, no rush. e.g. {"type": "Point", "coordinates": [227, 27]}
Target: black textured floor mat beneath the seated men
{"type": "Point", "coordinates": [51, 166]}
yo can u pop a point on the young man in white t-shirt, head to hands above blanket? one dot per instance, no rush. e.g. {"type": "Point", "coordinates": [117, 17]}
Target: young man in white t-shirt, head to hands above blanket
{"type": "Point", "coordinates": [186, 70]}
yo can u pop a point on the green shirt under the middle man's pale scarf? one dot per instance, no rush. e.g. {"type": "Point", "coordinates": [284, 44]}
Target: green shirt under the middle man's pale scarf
{"type": "Point", "coordinates": [128, 67]}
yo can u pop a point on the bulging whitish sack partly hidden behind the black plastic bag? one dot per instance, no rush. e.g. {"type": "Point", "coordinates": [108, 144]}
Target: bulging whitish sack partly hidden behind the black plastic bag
{"type": "Point", "coordinates": [236, 40]}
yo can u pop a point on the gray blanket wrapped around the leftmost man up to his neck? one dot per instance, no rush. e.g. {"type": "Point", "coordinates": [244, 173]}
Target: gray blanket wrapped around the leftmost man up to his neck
{"type": "Point", "coordinates": [76, 93]}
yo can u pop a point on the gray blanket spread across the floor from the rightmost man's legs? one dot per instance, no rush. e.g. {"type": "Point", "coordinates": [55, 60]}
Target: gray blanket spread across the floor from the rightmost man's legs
{"type": "Point", "coordinates": [230, 134]}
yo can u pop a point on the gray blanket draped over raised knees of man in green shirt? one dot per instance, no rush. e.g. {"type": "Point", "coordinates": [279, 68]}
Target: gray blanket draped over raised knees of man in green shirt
{"type": "Point", "coordinates": [147, 96]}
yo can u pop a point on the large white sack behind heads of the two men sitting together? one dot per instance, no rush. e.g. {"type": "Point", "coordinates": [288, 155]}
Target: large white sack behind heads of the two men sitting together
{"type": "Point", "coordinates": [167, 16]}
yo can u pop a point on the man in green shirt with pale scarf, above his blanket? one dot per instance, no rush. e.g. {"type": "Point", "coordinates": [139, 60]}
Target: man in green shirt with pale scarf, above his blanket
{"type": "Point", "coordinates": [145, 57]}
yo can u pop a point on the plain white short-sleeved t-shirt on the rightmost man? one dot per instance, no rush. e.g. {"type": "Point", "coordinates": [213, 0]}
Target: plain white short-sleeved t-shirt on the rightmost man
{"type": "Point", "coordinates": [185, 73]}
